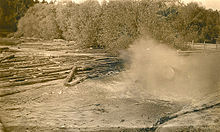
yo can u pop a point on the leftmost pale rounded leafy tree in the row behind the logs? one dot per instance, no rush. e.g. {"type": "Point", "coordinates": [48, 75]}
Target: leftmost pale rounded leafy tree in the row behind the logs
{"type": "Point", "coordinates": [39, 22]}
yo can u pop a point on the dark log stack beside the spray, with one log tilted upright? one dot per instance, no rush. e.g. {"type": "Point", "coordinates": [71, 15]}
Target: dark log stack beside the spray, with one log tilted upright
{"type": "Point", "coordinates": [96, 68]}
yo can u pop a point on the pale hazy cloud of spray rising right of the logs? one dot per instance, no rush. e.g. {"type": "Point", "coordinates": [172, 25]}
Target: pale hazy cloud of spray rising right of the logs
{"type": "Point", "coordinates": [158, 70]}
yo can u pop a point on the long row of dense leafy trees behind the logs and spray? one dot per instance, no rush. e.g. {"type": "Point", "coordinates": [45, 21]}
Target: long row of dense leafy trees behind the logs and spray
{"type": "Point", "coordinates": [116, 24]}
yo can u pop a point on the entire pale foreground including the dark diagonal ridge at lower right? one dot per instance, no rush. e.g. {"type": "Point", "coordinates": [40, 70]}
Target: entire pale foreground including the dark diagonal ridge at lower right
{"type": "Point", "coordinates": [102, 105]}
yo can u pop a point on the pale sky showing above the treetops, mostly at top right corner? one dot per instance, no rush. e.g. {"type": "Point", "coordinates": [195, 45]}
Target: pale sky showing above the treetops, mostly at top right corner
{"type": "Point", "coordinates": [213, 4]}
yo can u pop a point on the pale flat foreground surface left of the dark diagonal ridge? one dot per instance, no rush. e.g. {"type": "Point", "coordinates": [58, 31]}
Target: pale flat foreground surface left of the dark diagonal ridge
{"type": "Point", "coordinates": [91, 106]}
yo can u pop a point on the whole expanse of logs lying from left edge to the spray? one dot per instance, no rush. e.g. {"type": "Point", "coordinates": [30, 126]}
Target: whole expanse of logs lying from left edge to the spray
{"type": "Point", "coordinates": [20, 66]}
